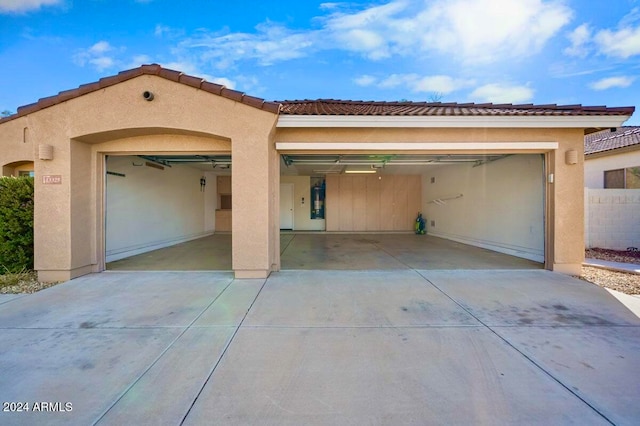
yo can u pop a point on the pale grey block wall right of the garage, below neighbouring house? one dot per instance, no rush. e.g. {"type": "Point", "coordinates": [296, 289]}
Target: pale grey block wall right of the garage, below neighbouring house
{"type": "Point", "coordinates": [612, 218]}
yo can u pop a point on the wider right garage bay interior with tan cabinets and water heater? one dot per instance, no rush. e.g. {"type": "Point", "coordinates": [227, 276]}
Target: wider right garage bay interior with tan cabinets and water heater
{"type": "Point", "coordinates": [480, 211]}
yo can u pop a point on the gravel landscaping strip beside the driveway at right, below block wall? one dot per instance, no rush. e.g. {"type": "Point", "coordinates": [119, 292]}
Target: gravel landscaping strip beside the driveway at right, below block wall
{"type": "Point", "coordinates": [619, 281]}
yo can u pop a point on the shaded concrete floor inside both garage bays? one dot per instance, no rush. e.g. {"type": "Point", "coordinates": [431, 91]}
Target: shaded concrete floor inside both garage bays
{"type": "Point", "coordinates": [331, 251]}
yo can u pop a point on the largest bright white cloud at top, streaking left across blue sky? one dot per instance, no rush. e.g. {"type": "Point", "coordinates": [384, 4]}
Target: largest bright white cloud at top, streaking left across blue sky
{"type": "Point", "coordinates": [470, 31]}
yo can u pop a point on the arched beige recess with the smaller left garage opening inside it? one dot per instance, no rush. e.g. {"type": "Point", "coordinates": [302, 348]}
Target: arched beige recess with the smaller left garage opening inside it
{"type": "Point", "coordinates": [159, 195]}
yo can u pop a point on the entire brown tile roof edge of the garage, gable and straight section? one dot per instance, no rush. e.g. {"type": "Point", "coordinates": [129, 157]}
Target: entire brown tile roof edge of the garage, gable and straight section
{"type": "Point", "coordinates": [329, 106]}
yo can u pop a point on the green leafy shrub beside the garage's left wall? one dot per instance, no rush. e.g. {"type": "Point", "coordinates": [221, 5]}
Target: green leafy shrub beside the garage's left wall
{"type": "Point", "coordinates": [16, 224]}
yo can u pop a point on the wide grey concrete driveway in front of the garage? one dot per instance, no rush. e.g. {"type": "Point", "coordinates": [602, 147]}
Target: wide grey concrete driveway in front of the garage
{"type": "Point", "coordinates": [320, 347]}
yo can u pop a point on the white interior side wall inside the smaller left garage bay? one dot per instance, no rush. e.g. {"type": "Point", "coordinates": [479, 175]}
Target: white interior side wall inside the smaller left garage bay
{"type": "Point", "coordinates": [150, 208]}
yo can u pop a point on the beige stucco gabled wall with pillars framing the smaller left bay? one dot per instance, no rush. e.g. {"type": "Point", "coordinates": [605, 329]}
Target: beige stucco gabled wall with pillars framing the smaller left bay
{"type": "Point", "coordinates": [116, 120]}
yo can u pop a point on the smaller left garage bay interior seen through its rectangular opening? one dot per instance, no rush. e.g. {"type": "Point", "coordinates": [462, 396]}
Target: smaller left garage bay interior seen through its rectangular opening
{"type": "Point", "coordinates": [168, 212]}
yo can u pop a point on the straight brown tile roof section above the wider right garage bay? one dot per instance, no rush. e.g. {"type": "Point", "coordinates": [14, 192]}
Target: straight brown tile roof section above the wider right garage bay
{"type": "Point", "coordinates": [344, 107]}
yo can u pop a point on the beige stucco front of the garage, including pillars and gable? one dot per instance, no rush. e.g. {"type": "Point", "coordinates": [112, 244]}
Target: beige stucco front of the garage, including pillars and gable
{"type": "Point", "coordinates": [117, 120]}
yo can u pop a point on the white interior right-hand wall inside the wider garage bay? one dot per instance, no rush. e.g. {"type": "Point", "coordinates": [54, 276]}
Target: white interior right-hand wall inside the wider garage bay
{"type": "Point", "coordinates": [501, 208]}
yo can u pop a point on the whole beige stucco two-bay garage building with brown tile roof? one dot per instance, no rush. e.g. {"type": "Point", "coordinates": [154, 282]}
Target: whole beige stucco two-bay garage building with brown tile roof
{"type": "Point", "coordinates": [117, 176]}
